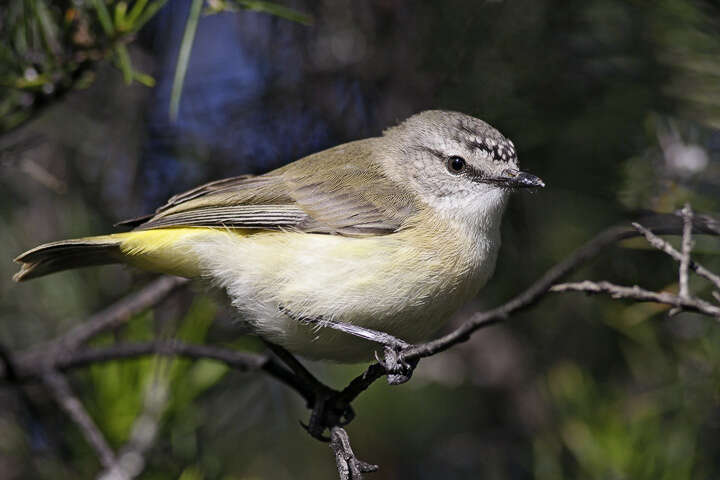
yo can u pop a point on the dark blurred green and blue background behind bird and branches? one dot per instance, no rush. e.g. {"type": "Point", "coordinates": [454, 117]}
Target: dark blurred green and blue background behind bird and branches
{"type": "Point", "coordinates": [109, 107]}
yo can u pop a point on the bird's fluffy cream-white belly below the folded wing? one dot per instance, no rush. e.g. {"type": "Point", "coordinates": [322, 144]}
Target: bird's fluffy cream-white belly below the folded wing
{"type": "Point", "coordinates": [285, 284]}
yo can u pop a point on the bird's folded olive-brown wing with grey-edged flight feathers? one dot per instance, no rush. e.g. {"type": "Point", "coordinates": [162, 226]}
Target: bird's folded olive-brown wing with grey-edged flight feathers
{"type": "Point", "coordinates": [322, 193]}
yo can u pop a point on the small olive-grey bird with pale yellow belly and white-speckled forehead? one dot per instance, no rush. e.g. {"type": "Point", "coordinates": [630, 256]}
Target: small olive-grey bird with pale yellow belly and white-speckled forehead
{"type": "Point", "coordinates": [391, 234]}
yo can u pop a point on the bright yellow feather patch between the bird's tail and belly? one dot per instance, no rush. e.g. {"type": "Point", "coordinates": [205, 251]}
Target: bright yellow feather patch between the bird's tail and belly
{"type": "Point", "coordinates": [165, 250]}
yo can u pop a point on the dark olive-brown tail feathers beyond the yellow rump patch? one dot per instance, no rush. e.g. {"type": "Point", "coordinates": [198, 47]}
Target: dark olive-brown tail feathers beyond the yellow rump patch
{"type": "Point", "coordinates": [67, 254]}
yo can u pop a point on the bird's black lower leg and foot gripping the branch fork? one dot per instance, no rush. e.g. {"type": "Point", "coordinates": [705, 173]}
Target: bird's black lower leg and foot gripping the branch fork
{"type": "Point", "coordinates": [328, 410]}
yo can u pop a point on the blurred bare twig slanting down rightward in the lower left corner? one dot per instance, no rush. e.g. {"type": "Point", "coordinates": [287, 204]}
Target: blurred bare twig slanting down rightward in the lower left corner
{"type": "Point", "coordinates": [67, 400]}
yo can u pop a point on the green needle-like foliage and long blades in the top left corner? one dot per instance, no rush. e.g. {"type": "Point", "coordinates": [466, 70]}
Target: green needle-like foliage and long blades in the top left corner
{"type": "Point", "coordinates": [49, 48]}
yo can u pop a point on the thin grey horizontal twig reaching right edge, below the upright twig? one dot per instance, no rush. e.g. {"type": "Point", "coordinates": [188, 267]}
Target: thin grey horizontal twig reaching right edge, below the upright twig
{"type": "Point", "coordinates": [640, 294]}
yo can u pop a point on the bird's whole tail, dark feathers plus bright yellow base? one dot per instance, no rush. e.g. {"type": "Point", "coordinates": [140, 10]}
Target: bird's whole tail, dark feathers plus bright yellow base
{"type": "Point", "coordinates": [167, 250]}
